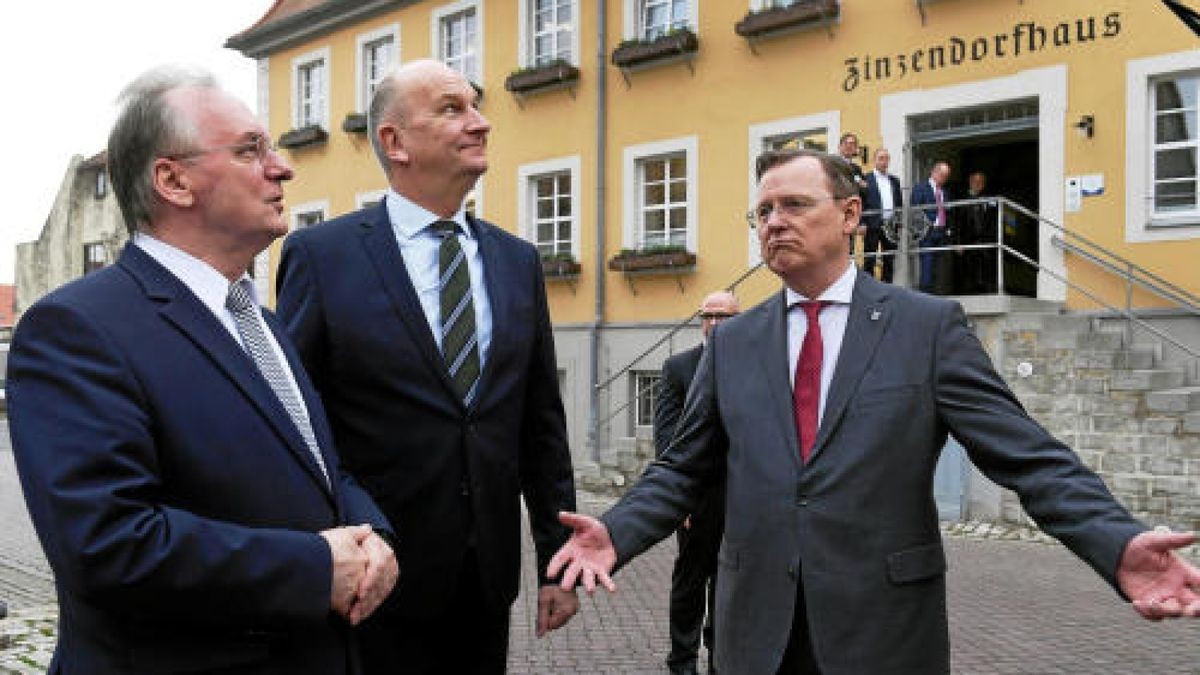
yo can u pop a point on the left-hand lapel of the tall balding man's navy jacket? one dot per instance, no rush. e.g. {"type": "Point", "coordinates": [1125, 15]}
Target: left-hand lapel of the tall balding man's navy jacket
{"type": "Point", "coordinates": [381, 247]}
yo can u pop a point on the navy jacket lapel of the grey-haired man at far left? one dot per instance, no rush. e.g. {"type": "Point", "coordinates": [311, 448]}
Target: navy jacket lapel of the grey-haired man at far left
{"type": "Point", "coordinates": [184, 310]}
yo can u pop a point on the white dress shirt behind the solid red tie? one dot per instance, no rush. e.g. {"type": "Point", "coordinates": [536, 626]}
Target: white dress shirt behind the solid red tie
{"type": "Point", "coordinates": [833, 328]}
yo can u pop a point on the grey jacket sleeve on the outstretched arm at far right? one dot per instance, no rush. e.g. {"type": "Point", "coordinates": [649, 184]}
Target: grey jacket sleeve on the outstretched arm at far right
{"type": "Point", "coordinates": [1065, 498]}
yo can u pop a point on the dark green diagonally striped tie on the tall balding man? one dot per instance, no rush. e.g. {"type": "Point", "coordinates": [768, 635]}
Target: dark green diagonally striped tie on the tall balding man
{"type": "Point", "coordinates": [460, 347]}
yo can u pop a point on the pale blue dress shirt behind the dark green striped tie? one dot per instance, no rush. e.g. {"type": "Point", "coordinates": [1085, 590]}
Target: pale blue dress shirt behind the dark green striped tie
{"type": "Point", "coordinates": [419, 247]}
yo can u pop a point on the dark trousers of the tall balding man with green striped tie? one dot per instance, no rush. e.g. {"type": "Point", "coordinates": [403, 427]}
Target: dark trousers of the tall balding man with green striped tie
{"type": "Point", "coordinates": [469, 638]}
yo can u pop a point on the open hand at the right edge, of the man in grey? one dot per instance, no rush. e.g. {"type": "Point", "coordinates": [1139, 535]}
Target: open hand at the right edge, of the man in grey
{"type": "Point", "coordinates": [1159, 581]}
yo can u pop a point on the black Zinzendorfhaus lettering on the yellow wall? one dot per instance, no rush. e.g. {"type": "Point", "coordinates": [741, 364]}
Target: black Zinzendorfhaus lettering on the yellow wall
{"type": "Point", "coordinates": [1027, 38]}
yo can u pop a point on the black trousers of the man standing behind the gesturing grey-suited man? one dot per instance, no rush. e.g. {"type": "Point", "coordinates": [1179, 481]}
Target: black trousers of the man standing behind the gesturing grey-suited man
{"type": "Point", "coordinates": [694, 582]}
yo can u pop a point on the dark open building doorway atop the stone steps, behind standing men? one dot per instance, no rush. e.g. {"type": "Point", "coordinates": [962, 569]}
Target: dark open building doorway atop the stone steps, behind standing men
{"type": "Point", "coordinates": [1001, 141]}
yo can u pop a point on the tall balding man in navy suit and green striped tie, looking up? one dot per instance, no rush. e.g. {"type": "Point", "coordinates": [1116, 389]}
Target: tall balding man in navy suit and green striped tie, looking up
{"type": "Point", "coordinates": [428, 334]}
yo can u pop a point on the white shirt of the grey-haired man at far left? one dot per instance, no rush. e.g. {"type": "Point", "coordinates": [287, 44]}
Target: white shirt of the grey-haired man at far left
{"type": "Point", "coordinates": [212, 288]}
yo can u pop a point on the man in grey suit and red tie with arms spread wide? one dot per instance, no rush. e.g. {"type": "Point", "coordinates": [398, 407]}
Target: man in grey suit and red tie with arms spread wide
{"type": "Point", "coordinates": [832, 560]}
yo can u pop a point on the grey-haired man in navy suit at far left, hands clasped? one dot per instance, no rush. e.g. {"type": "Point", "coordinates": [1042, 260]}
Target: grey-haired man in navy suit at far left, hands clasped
{"type": "Point", "coordinates": [175, 457]}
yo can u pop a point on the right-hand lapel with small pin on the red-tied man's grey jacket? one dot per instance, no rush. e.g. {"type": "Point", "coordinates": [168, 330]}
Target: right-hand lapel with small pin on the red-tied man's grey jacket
{"type": "Point", "coordinates": [868, 321]}
